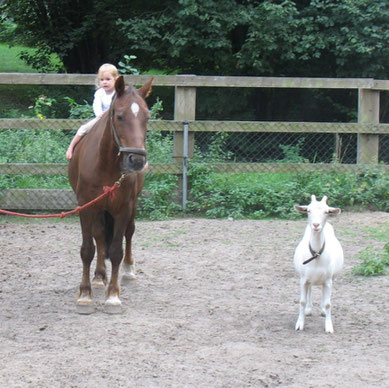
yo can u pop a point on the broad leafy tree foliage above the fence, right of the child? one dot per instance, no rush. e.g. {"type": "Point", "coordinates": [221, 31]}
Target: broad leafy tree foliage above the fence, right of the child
{"type": "Point", "coordinates": [317, 38]}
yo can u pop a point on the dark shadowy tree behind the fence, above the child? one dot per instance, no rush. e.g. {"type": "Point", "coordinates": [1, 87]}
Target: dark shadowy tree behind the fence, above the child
{"type": "Point", "coordinates": [82, 33]}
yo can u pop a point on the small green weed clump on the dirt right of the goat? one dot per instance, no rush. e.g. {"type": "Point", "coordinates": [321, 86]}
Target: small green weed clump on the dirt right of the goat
{"type": "Point", "coordinates": [373, 263]}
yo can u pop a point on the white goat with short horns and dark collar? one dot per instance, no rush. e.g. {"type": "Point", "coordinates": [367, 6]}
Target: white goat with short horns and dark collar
{"type": "Point", "coordinates": [317, 258]}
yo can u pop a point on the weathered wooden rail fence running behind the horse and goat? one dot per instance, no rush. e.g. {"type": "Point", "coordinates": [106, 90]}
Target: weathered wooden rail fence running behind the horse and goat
{"type": "Point", "coordinates": [368, 128]}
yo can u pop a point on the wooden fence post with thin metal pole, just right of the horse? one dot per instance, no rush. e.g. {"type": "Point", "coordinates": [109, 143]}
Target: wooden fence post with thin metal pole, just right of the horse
{"type": "Point", "coordinates": [184, 110]}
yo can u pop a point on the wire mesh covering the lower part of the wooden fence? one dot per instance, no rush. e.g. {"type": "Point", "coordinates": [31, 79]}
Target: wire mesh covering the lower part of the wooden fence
{"type": "Point", "coordinates": [32, 152]}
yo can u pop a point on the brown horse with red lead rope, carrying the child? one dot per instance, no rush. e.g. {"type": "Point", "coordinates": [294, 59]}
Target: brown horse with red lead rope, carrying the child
{"type": "Point", "coordinates": [113, 150]}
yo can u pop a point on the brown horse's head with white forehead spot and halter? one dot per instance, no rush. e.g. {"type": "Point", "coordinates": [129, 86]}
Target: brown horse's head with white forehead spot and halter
{"type": "Point", "coordinates": [128, 116]}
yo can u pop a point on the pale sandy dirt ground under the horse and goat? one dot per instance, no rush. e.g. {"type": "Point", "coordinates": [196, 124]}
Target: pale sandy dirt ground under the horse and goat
{"type": "Point", "coordinates": [214, 305]}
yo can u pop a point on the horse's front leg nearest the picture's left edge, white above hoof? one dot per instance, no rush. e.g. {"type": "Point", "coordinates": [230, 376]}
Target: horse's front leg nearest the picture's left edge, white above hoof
{"type": "Point", "coordinates": [84, 301]}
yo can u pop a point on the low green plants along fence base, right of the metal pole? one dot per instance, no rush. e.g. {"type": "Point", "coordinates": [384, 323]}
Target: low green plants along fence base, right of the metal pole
{"type": "Point", "coordinates": [273, 195]}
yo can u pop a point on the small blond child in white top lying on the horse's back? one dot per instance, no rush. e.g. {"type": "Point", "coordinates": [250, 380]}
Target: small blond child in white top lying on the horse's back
{"type": "Point", "coordinates": [105, 83]}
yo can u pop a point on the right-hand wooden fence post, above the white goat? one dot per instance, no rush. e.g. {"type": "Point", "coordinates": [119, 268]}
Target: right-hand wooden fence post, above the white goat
{"type": "Point", "coordinates": [368, 112]}
